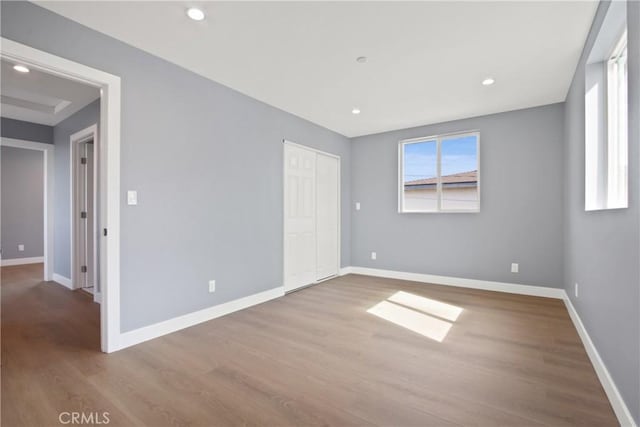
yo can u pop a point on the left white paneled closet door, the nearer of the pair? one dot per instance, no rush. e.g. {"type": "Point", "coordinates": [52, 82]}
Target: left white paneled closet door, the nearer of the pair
{"type": "Point", "coordinates": [300, 217]}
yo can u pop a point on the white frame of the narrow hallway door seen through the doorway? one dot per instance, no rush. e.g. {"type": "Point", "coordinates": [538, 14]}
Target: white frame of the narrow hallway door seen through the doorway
{"type": "Point", "coordinates": [75, 140]}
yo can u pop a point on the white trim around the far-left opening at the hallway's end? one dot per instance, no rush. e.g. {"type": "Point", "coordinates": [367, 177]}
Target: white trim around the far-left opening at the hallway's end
{"type": "Point", "coordinates": [47, 171]}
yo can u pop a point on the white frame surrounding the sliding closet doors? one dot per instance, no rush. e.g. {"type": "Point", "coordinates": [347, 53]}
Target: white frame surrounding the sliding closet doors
{"type": "Point", "coordinates": [286, 142]}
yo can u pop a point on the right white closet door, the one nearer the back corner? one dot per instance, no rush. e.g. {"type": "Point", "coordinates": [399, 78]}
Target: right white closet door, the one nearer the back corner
{"type": "Point", "coordinates": [327, 196]}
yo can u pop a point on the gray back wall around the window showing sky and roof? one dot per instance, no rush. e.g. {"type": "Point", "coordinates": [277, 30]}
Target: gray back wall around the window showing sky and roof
{"type": "Point", "coordinates": [520, 221]}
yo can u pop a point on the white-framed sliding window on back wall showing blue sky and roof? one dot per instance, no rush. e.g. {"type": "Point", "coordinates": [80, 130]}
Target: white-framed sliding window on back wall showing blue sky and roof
{"type": "Point", "coordinates": [440, 174]}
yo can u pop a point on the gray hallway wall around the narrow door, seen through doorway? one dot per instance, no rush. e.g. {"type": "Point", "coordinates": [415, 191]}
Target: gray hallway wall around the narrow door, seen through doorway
{"type": "Point", "coordinates": [89, 115]}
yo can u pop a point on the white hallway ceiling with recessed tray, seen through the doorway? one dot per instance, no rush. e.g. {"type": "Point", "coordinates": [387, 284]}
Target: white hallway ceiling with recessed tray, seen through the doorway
{"type": "Point", "coordinates": [41, 98]}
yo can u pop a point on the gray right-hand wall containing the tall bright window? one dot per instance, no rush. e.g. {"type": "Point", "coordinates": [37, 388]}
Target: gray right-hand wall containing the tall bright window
{"type": "Point", "coordinates": [603, 247]}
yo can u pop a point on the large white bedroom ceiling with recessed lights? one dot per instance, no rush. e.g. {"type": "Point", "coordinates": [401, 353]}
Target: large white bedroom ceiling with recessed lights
{"type": "Point", "coordinates": [425, 59]}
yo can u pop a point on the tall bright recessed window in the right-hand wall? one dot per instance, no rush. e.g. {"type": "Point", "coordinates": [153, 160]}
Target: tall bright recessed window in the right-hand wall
{"type": "Point", "coordinates": [606, 115]}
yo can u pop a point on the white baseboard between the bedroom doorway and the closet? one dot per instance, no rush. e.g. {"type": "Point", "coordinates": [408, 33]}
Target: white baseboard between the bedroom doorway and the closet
{"type": "Point", "coordinates": [146, 333]}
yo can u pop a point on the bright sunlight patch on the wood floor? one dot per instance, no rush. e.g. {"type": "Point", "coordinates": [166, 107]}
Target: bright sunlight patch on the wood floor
{"type": "Point", "coordinates": [418, 314]}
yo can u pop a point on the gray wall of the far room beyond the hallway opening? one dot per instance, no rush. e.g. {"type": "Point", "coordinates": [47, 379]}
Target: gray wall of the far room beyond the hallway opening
{"type": "Point", "coordinates": [22, 202]}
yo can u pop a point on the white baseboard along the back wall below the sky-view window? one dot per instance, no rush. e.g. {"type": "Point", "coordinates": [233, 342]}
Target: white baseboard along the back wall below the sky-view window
{"type": "Point", "coordinates": [538, 291]}
